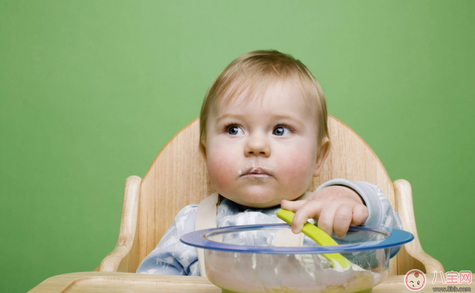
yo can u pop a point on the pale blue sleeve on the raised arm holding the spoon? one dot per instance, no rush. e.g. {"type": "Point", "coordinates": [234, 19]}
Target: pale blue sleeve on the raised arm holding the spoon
{"type": "Point", "coordinates": [380, 212]}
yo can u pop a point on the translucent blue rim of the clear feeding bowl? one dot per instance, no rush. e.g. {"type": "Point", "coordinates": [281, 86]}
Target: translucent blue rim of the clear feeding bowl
{"type": "Point", "coordinates": [199, 239]}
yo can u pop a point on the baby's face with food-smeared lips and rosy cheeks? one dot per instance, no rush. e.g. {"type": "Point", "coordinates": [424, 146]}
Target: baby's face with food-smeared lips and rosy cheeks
{"type": "Point", "coordinates": [261, 151]}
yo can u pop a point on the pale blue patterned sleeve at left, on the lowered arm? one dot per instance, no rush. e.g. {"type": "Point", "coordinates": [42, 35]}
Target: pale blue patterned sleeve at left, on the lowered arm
{"type": "Point", "coordinates": [170, 256]}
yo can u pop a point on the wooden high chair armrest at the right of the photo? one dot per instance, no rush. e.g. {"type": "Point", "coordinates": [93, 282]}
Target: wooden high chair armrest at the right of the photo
{"type": "Point", "coordinates": [405, 209]}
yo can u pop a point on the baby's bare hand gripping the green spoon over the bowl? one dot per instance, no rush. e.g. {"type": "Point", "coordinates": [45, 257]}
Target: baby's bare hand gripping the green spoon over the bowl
{"type": "Point", "coordinates": [334, 207]}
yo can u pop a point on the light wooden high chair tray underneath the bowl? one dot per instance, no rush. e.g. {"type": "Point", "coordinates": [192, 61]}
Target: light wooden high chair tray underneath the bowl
{"type": "Point", "coordinates": [92, 282]}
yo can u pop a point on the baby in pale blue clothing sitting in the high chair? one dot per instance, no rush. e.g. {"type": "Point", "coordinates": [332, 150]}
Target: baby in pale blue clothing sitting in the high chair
{"type": "Point", "coordinates": [264, 136]}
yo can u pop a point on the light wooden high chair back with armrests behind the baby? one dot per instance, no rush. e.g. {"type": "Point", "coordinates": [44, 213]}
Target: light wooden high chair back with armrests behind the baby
{"type": "Point", "coordinates": [178, 177]}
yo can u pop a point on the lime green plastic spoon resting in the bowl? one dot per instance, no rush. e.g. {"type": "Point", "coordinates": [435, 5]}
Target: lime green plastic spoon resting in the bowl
{"type": "Point", "coordinates": [319, 236]}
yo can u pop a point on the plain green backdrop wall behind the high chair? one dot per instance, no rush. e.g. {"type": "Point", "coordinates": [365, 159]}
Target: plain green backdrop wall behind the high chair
{"type": "Point", "coordinates": [90, 91]}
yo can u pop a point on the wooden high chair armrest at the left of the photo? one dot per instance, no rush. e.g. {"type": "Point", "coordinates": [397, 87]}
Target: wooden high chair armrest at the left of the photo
{"type": "Point", "coordinates": [128, 227]}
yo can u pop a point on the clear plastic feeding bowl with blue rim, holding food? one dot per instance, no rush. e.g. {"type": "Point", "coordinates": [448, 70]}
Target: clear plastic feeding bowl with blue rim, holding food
{"type": "Point", "coordinates": [246, 259]}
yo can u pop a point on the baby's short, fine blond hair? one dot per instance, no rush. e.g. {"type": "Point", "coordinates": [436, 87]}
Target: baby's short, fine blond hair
{"type": "Point", "coordinates": [254, 72]}
